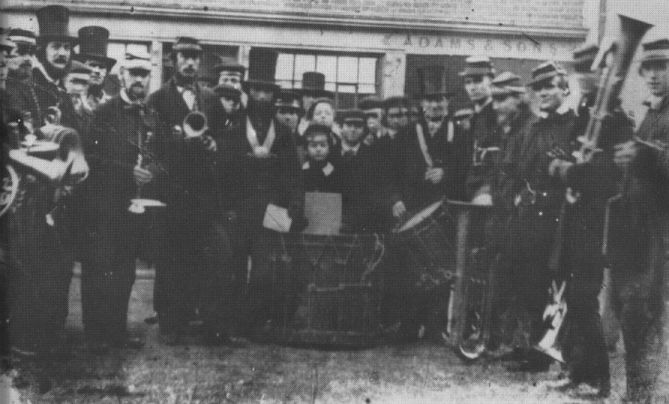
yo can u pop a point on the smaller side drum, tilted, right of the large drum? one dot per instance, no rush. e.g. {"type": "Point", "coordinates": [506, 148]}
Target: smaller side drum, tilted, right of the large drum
{"type": "Point", "coordinates": [427, 239]}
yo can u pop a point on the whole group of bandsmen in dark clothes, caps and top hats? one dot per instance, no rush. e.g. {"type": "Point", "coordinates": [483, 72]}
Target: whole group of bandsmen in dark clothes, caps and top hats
{"type": "Point", "coordinates": [216, 154]}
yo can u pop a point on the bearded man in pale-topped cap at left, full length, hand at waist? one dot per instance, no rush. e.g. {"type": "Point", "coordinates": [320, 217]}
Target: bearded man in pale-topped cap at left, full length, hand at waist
{"type": "Point", "coordinates": [109, 272]}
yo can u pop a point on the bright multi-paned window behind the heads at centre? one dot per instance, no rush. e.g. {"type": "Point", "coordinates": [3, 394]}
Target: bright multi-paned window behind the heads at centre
{"type": "Point", "coordinates": [349, 77]}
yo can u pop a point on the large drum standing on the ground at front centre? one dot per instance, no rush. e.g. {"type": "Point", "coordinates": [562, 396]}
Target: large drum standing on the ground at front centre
{"type": "Point", "coordinates": [330, 290]}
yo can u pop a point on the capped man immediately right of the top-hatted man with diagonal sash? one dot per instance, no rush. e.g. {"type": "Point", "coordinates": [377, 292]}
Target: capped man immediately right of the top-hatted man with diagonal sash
{"type": "Point", "coordinates": [484, 145]}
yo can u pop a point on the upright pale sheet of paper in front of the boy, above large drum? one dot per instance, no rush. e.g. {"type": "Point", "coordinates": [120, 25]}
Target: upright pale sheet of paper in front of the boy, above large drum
{"type": "Point", "coordinates": [323, 212]}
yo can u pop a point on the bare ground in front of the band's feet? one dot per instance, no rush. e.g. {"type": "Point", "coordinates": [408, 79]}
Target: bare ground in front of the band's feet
{"type": "Point", "coordinates": [257, 373]}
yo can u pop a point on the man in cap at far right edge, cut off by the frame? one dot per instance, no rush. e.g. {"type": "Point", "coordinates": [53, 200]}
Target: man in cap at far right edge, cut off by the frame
{"type": "Point", "coordinates": [636, 244]}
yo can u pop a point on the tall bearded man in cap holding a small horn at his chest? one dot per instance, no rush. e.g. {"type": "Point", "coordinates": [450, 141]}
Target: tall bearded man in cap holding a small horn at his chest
{"type": "Point", "coordinates": [191, 270]}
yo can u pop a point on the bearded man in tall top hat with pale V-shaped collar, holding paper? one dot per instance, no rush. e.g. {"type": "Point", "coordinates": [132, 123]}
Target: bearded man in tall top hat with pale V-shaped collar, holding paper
{"type": "Point", "coordinates": [261, 168]}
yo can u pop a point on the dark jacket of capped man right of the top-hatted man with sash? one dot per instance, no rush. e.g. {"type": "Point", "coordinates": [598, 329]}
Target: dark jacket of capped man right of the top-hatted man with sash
{"type": "Point", "coordinates": [484, 146]}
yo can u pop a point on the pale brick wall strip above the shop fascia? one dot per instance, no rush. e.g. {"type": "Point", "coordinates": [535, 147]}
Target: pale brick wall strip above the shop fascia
{"type": "Point", "coordinates": [528, 13]}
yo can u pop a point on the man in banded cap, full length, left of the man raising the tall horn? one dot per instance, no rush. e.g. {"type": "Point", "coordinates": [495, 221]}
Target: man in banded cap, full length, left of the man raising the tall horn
{"type": "Point", "coordinates": [538, 189]}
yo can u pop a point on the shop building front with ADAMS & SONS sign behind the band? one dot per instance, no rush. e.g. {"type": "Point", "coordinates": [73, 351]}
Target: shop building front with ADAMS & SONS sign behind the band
{"type": "Point", "coordinates": [362, 46]}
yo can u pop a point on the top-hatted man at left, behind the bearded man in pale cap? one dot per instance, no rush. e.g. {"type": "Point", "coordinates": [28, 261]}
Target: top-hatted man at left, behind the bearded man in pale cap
{"type": "Point", "coordinates": [93, 42]}
